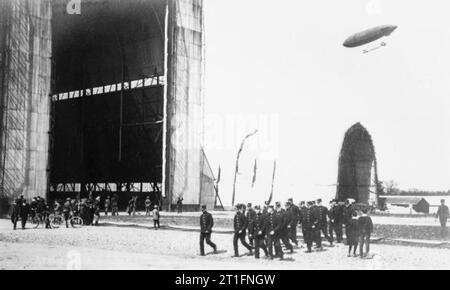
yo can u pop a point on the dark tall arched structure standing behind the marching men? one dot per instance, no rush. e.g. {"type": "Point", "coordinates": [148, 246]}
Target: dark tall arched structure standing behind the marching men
{"type": "Point", "coordinates": [356, 160]}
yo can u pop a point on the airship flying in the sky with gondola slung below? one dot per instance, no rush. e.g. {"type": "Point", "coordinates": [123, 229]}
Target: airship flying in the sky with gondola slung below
{"type": "Point", "coordinates": [369, 35]}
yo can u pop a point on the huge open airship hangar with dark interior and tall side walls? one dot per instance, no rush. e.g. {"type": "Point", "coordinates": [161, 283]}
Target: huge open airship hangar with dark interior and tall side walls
{"type": "Point", "coordinates": [109, 100]}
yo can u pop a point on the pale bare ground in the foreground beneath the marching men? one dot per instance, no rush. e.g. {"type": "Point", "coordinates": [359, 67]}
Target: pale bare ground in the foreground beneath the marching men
{"type": "Point", "coordinates": [109, 247]}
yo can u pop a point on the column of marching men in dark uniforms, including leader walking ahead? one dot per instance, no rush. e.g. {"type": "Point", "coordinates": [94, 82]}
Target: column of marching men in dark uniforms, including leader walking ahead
{"type": "Point", "coordinates": [271, 226]}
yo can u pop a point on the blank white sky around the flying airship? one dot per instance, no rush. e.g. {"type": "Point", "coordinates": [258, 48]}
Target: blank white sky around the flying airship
{"type": "Point", "coordinates": [279, 67]}
